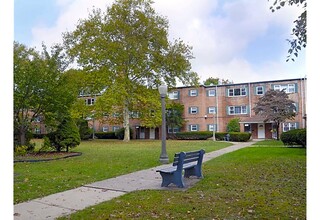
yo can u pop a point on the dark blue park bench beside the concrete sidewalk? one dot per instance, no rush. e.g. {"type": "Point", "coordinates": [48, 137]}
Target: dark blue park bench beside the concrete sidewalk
{"type": "Point", "coordinates": [189, 162]}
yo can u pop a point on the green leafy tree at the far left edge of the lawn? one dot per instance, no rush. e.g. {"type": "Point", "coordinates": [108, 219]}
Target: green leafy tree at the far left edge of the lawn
{"type": "Point", "coordinates": [40, 89]}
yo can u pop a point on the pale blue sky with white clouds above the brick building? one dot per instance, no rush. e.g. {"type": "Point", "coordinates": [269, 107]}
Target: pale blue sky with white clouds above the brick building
{"type": "Point", "coordinates": [239, 40]}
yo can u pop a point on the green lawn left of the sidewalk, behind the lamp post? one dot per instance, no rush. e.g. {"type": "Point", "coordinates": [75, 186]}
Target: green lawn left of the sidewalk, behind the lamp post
{"type": "Point", "coordinates": [101, 159]}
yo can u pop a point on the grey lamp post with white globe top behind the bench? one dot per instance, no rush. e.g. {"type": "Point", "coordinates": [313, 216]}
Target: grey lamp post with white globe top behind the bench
{"type": "Point", "coordinates": [163, 93]}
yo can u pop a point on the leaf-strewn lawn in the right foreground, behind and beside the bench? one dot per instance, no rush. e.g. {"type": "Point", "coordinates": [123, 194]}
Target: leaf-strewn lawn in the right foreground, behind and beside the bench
{"type": "Point", "coordinates": [257, 182]}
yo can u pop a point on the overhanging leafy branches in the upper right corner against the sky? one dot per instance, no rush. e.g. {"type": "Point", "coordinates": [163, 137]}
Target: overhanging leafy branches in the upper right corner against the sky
{"type": "Point", "coordinates": [299, 32]}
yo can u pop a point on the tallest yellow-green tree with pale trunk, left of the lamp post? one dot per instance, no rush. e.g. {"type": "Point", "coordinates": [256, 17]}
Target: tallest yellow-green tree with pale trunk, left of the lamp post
{"type": "Point", "coordinates": [126, 51]}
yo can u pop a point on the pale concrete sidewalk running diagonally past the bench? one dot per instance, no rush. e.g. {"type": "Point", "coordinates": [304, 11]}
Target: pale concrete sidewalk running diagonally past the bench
{"type": "Point", "coordinates": [65, 203]}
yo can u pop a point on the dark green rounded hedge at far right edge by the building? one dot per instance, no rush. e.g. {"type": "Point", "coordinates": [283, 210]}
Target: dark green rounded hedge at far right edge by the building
{"type": "Point", "coordinates": [294, 137]}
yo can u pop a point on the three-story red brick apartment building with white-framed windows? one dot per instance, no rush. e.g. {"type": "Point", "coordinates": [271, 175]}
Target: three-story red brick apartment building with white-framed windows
{"type": "Point", "coordinates": [208, 108]}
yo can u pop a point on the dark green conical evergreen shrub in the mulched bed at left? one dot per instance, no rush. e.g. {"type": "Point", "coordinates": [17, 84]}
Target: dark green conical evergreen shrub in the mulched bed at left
{"type": "Point", "coordinates": [67, 135]}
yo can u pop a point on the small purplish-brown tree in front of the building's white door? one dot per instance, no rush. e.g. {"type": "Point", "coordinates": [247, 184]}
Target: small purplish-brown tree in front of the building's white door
{"type": "Point", "coordinates": [276, 107]}
